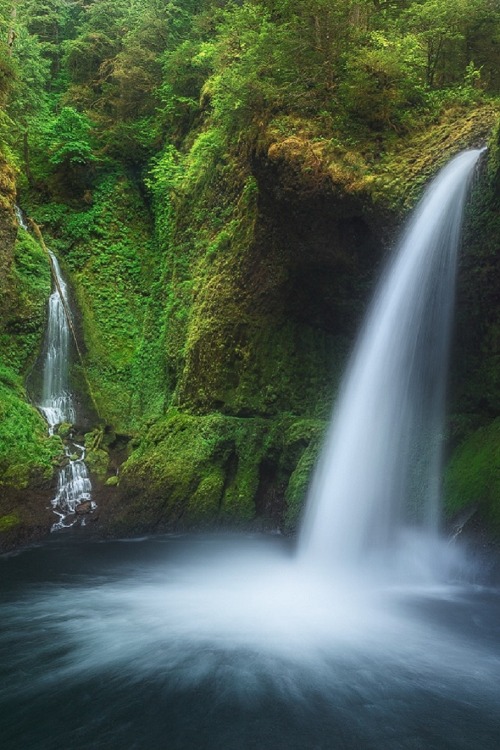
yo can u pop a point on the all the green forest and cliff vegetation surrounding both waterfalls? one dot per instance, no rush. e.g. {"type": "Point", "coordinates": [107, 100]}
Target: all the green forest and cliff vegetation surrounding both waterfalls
{"type": "Point", "coordinates": [220, 180]}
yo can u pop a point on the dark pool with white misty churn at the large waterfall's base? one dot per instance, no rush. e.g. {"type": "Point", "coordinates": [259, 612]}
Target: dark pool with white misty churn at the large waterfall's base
{"type": "Point", "coordinates": [211, 642]}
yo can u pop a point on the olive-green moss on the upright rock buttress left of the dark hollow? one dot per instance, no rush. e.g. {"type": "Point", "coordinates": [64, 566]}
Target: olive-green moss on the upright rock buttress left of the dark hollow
{"type": "Point", "coordinates": [229, 346]}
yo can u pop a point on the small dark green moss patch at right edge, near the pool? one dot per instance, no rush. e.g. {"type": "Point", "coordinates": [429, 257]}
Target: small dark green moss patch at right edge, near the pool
{"type": "Point", "coordinates": [473, 474]}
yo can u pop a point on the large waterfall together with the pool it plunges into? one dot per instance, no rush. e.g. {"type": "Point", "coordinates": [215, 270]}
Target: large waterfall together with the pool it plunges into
{"type": "Point", "coordinates": [390, 641]}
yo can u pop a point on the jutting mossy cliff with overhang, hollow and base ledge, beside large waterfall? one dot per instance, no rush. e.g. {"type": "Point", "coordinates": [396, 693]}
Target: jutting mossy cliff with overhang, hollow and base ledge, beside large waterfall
{"type": "Point", "coordinates": [279, 254]}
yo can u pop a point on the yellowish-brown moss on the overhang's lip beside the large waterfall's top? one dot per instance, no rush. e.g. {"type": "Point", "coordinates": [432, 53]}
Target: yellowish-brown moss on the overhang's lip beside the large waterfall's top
{"type": "Point", "coordinates": [388, 170]}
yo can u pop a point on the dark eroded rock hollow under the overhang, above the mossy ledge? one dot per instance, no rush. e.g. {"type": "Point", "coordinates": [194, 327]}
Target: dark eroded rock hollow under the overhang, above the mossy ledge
{"type": "Point", "coordinates": [278, 309]}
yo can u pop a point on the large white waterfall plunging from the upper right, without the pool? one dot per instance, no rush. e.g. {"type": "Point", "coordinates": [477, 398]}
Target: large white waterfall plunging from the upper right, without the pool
{"type": "Point", "coordinates": [379, 471]}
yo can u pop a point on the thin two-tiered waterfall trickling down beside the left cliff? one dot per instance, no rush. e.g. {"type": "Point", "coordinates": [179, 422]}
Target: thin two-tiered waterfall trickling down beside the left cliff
{"type": "Point", "coordinates": [74, 487]}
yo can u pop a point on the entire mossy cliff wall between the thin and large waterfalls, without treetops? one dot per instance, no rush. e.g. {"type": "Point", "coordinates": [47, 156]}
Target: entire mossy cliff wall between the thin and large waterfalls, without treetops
{"type": "Point", "coordinates": [214, 340]}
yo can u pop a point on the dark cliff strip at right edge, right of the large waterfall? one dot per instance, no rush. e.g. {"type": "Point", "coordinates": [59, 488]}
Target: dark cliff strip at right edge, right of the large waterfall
{"type": "Point", "coordinates": [474, 466]}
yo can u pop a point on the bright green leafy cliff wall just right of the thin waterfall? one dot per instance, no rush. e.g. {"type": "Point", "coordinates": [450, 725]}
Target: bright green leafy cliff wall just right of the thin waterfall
{"type": "Point", "coordinates": [112, 260]}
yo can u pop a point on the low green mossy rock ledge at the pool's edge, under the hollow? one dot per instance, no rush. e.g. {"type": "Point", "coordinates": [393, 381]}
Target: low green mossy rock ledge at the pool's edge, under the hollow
{"type": "Point", "coordinates": [214, 469]}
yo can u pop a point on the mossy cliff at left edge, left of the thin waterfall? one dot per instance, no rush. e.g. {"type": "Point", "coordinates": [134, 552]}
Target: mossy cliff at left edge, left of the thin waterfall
{"type": "Point", "coordinates": [27, 454]}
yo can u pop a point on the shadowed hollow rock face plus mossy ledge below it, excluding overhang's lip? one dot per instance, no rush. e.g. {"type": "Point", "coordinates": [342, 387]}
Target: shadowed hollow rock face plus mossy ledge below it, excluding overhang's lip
{"type": "Point", "coordinates": [266, 341]}
